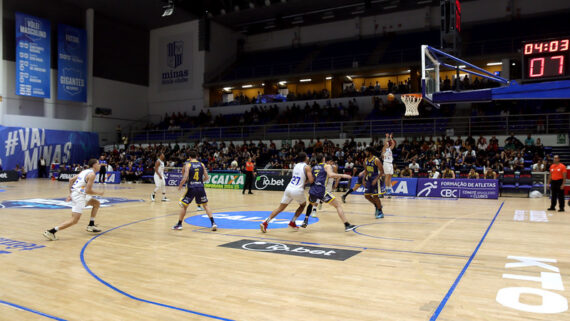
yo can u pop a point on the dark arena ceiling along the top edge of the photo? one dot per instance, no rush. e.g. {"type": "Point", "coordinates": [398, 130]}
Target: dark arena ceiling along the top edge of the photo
{"type": "Point", "coordinates": [246, 16]}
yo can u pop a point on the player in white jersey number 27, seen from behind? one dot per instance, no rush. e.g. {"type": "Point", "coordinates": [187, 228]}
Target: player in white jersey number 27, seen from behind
{"type": "Point", "coordinates": [294, 191]}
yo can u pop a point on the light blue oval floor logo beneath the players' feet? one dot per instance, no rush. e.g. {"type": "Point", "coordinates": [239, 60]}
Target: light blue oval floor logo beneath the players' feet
{"type": "Point", "coordinates": [247, 220]}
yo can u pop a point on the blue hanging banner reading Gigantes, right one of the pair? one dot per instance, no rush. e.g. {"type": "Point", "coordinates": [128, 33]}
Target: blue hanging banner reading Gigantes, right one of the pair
{"type": "Point", "coordinates": [71, 63]}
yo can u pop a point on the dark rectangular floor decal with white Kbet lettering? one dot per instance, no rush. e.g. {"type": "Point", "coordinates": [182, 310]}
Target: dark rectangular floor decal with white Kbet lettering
{"type": "Point", "coordinates": [292, 249]}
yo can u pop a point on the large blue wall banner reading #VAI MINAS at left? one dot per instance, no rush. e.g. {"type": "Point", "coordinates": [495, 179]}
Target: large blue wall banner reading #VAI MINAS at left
{"type": "Point", "coordinates": [25, 146]}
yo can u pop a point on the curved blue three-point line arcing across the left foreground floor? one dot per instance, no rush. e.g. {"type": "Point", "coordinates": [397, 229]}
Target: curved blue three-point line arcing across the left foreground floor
{"type": "Point", "coordinates": [112, 287]}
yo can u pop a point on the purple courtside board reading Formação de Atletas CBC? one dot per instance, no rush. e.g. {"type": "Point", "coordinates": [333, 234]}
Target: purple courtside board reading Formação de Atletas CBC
{"type": "Point", "coordinates": [458, 188]}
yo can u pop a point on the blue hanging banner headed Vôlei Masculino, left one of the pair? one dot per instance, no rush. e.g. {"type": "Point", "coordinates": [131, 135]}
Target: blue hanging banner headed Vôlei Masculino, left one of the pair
{"type": "Point", "coordinates": [32, 56]}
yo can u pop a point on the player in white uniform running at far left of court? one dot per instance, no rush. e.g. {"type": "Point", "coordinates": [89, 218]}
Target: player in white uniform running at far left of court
{"type": "Point", "coordinates": [80, 191]}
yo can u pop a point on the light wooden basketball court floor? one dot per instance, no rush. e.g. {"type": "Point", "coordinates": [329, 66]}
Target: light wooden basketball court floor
{"type": "Point", "coordinates": [428, 259]}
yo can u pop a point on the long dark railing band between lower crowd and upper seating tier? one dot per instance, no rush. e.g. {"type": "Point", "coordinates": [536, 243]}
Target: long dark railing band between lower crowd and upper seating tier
{"type": "Point", "coordinates": [475, 125]}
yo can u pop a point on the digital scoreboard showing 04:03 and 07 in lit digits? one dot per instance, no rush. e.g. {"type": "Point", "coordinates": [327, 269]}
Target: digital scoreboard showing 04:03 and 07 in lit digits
{"type": "Point", "coordinates": [546, 59]}
